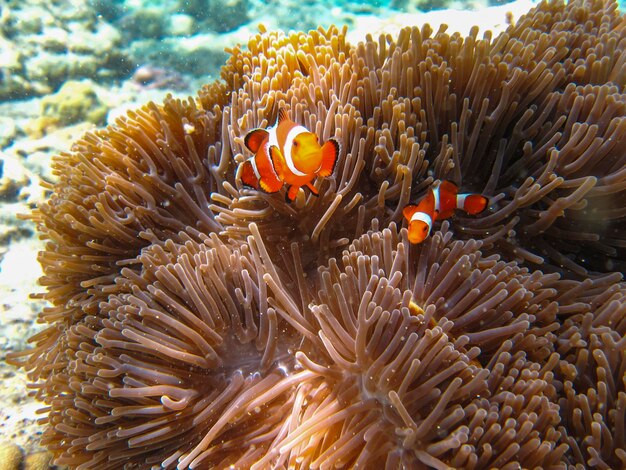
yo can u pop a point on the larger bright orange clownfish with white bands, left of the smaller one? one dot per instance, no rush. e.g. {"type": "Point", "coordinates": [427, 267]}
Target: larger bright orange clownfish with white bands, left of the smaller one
{"type": "Point", "coordinates": [287, 154]}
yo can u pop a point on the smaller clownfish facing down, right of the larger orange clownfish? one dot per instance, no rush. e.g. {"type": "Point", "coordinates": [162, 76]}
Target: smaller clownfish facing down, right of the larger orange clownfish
{"type": "Point", "coordinates": [440, 202]}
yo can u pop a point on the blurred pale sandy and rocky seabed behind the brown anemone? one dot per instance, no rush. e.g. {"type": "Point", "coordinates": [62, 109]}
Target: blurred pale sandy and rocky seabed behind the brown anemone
{"type": "Point", "coordinates": [70, 66]}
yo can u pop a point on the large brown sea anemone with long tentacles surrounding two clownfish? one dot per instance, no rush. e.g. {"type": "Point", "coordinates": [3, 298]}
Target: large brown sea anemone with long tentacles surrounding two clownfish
{"type": "Point", "coordinates": [196, 324]}
